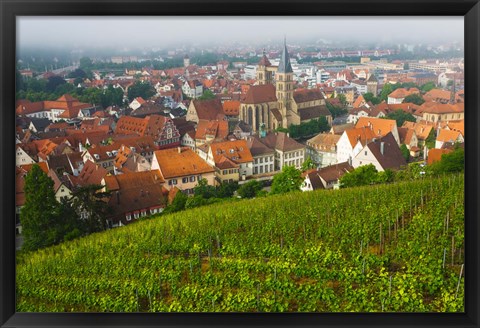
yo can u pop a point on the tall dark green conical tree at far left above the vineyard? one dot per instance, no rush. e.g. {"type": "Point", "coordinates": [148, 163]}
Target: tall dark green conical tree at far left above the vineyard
{"type": "Point", "coordinates": [38, 216]}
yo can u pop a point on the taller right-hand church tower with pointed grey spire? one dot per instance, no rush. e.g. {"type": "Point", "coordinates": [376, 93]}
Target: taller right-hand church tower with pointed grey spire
{"type": "Point", "coordinates": [284, 86]}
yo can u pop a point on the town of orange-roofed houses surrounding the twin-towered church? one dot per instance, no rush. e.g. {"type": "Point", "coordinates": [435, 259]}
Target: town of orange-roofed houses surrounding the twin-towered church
{"type": "Point", "coordinates": [144, 135]}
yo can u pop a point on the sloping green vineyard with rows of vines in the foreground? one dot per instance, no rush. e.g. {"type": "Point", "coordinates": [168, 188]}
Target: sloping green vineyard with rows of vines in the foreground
{"type": "Point", "coordinates": [391, 248]}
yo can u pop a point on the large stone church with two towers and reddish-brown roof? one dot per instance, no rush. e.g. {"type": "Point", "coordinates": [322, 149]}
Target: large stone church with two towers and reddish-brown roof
{"type": "Point", "coordinates": [273, 102]}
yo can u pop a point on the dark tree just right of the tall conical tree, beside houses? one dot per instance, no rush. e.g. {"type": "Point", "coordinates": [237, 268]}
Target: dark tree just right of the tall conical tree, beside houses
{"type": "Point", "coordinates": [92, 207]}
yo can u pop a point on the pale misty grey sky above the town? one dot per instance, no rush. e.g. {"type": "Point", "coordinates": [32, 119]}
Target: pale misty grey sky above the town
{"type": "Point", "coordinates": [155, 31]}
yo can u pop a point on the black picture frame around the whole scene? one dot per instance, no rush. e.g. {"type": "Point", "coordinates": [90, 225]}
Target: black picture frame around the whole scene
{"type": "Point", "coordinates": [470, 9]}
